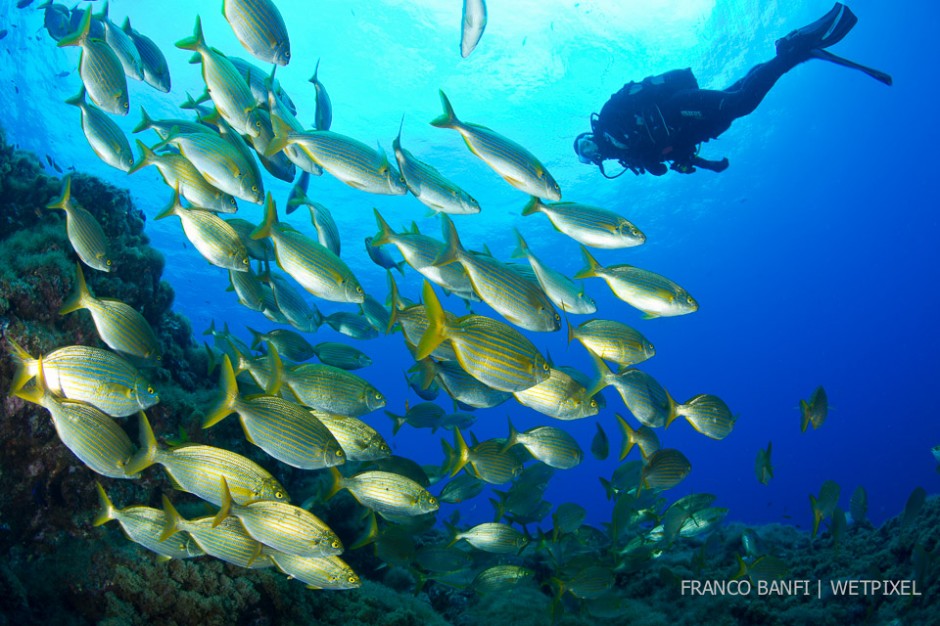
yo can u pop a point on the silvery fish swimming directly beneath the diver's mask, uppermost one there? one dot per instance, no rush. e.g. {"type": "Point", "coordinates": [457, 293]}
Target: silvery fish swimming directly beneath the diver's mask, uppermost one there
{"type": "Point", "coordinates": [588, 225]}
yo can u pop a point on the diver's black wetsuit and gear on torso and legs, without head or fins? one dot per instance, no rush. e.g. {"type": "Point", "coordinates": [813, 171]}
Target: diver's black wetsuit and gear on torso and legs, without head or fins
{"type": "Point", "coordinates": [668, 122]}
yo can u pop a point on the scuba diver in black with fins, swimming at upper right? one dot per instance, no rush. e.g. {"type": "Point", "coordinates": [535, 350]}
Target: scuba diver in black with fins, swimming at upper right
{"type": "Point", "coordinates": [665, 119]}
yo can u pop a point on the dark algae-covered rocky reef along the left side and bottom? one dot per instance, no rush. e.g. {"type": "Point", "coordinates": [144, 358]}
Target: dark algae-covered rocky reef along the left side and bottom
{"type": "Point", "coordinates": [55, 568]}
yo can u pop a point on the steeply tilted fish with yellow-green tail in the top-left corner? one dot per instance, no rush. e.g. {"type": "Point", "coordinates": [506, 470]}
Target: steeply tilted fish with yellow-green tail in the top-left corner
{"type": "Point", "coordinates": [100, 69]}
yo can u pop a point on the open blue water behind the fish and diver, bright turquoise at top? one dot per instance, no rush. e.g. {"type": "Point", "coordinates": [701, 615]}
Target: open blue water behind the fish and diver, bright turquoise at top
{"type": "Point", "coordinates": [813, 257]}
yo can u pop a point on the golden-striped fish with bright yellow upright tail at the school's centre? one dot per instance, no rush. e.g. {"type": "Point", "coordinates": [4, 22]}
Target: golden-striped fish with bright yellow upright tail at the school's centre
{"type": "Point", "coordinates": [497, 355]}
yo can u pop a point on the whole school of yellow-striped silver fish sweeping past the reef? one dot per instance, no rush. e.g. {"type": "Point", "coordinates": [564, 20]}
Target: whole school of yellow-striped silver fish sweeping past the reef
{"type": "Point", "coordinates": [312, 416]}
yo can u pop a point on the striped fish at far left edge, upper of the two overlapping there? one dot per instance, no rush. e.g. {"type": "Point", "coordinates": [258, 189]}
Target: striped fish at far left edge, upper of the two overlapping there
{"type": "Point", "coordinates": [85, 374]}
